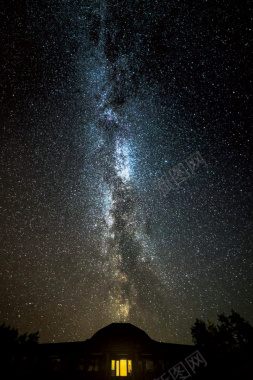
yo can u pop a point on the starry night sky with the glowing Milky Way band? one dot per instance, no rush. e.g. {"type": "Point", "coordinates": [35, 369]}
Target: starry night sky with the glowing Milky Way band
{"type": "Point", "coordinates": [126, 165]}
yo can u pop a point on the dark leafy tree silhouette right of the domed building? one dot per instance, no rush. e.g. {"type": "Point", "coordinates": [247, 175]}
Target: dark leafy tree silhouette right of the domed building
{"type": "Point", "coordinates": [227, 346]}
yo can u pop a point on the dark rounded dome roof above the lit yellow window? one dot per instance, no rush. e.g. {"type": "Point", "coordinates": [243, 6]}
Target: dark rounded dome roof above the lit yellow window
{"type": "Point", "coordinates": [121, 336]}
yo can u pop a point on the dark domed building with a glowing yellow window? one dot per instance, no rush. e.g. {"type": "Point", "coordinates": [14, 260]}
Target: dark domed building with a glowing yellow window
{"type": "Point", "coordinates": [119, 350]}
